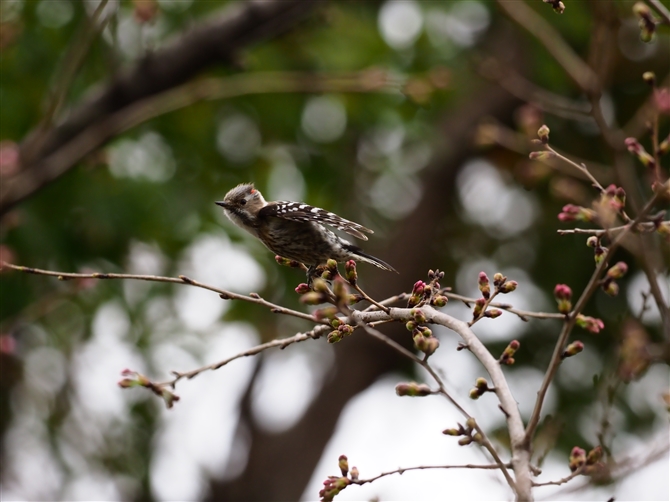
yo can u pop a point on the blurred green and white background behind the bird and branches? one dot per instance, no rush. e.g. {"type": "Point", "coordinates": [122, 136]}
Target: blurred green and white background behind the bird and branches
{"type": "Point", "coordinates": [403, 116]}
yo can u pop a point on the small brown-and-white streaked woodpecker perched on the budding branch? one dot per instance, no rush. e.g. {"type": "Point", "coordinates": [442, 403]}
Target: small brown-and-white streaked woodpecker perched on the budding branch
{"type": "Point", "coordinates": [296, 230]}
